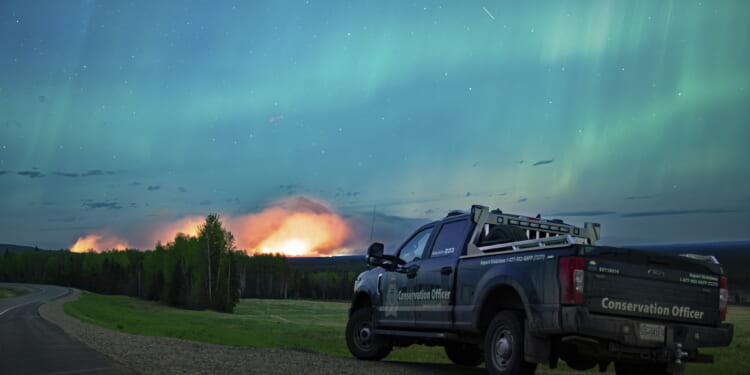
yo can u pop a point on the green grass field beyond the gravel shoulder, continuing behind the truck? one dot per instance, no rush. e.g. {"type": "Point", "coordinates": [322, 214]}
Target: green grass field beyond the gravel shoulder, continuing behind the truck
{"type": "Point", "coordinates": [312, 325]}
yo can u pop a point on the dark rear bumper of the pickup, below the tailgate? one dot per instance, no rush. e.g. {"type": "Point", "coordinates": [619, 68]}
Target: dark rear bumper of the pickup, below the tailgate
{"type": "Point", "coordinates": [576, 320]}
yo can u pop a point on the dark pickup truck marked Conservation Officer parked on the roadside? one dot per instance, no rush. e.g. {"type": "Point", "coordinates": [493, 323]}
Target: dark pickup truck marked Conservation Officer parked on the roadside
{"type": "Point", "coordinates": [515, 291]}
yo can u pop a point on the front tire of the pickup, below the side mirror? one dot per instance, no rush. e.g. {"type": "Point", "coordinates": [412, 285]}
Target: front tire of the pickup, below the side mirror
{"type": "Point", "coordinates": [362, 343]}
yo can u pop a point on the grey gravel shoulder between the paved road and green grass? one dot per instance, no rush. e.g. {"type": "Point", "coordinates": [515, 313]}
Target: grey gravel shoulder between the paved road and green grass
{"type": "Point", "coordinates": [164, 355]}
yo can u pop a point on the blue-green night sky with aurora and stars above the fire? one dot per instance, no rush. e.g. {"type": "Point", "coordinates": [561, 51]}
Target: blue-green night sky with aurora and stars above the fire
{"type": "Point", "coordinates": [119, 116]}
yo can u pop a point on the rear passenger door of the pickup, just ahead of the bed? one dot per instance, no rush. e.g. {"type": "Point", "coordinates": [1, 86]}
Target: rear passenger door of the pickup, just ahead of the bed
{"type": "Point", "coordinates": [436, 274]}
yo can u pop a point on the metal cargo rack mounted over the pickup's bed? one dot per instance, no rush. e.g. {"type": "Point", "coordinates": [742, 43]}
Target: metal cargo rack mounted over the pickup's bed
{"type": "Point", "coordinates": [540, 233]}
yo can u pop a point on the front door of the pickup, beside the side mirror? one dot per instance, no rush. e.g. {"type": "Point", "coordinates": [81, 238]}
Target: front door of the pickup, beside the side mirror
{"type": "Point", "coordinates": [397, 288]}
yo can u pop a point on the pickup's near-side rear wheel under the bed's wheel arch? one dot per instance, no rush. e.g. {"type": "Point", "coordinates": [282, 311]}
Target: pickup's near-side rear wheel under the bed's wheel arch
{"type": "Point", "coordinates": [503, 346]}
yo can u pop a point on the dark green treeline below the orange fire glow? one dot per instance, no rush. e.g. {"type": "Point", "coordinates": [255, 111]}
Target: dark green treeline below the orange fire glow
{"type": "Point", "coordinates": [191, 272]}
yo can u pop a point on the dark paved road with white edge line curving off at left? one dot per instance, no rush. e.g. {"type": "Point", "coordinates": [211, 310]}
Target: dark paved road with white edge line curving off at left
{"type": "Point", "coordinates": [31, 345]}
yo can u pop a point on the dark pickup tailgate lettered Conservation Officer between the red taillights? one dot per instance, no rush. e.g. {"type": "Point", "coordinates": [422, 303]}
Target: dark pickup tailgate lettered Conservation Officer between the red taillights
{"type": "Point", "coordinates": [654, 286]}
